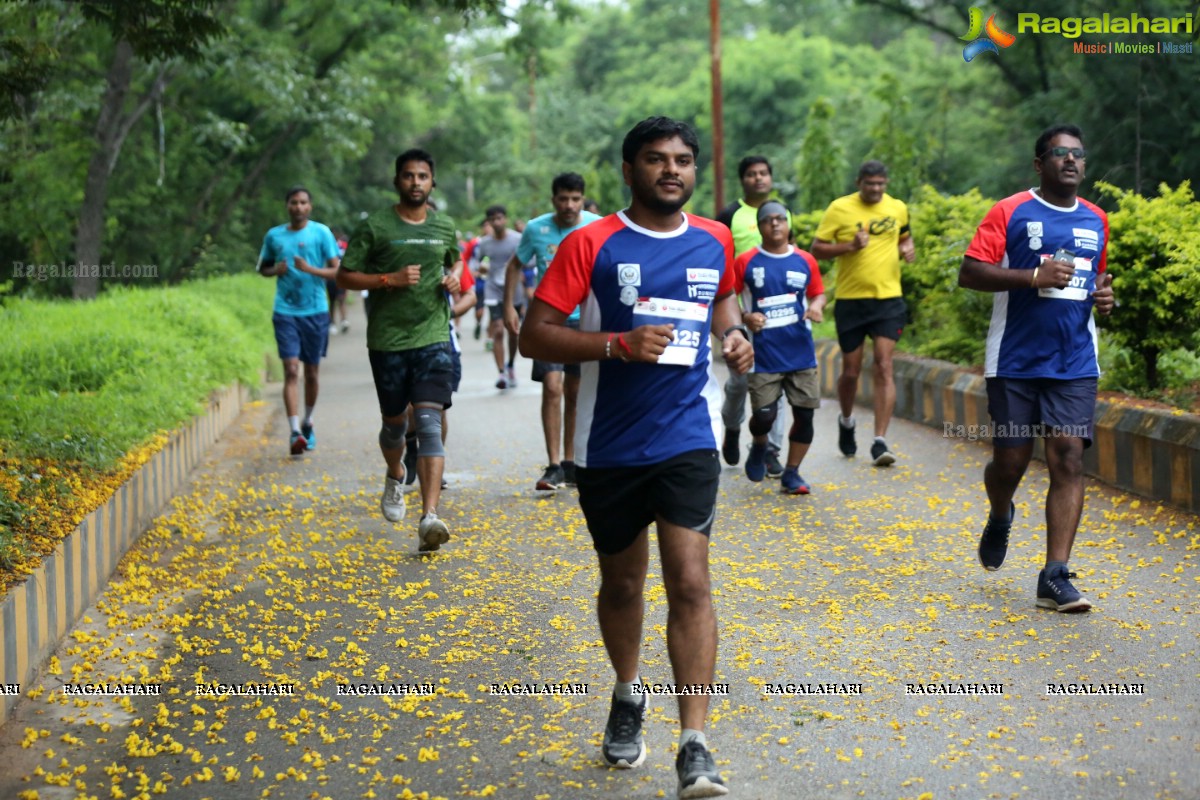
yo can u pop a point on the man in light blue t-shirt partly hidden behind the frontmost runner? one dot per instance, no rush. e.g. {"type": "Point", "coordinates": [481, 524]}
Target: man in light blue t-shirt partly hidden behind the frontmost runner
{"type": "Point", "coordinates": [560, 383]}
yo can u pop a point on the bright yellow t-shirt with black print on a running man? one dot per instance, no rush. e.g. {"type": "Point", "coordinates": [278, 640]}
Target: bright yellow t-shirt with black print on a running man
{"type": "Point", "coordinates": [875, 270]}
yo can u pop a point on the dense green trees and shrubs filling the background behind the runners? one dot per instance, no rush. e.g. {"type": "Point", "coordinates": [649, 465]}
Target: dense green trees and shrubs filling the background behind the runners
{"type": "Point", "coordinates": [165, 133]}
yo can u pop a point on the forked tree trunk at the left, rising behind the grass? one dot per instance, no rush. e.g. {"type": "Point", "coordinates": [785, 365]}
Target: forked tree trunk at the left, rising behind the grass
{"type": "Point", "coordinates": [112, 129]}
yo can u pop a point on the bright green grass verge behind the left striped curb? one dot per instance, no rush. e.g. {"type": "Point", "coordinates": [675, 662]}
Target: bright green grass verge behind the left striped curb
{"type": "Point", "coordinates": [87, 382]}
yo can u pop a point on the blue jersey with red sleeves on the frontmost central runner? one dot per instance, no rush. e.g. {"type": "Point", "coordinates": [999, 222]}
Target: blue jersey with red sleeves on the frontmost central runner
{"type": "Point", "coordinates": [623, 276]}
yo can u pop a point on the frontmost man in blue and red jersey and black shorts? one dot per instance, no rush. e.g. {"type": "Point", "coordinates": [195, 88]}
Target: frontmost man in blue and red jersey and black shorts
{"type": "Point", "coordinates": [653, 284]}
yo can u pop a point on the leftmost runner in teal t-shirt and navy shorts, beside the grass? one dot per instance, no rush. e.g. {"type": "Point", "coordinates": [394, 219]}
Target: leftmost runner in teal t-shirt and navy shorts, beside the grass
{"type": "Point", "coordinates": [302, 255]}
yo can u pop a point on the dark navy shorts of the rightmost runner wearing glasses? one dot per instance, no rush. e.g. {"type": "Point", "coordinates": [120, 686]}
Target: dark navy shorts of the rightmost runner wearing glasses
{"type": "Point", "coordinates": [1027, 408]}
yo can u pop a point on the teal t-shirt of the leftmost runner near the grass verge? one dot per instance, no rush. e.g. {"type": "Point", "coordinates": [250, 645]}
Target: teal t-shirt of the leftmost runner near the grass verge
{"type": "Point", "coordinates": [299, 294]}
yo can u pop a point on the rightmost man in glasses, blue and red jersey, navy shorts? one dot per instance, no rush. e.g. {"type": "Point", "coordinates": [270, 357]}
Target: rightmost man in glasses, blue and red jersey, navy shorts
{"type": "Point", "coordinates": [1045, 255]}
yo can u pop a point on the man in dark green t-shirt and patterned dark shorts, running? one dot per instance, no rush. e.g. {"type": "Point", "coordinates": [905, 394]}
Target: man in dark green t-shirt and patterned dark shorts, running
{"type": "Point", "coordinates": [407, 256]}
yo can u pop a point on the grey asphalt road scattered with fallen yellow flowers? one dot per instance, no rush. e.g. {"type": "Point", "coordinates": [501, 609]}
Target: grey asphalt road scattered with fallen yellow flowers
{"type": "Point", "coordinates": [278, 573]}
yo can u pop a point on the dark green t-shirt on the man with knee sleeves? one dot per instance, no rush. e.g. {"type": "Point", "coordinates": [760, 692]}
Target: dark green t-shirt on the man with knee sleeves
{"type": "Point", "coordinates": [413, 317]}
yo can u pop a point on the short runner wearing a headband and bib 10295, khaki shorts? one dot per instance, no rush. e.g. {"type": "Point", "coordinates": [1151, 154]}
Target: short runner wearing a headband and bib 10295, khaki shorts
{"type": "Point", "coordinates": [783, 294]}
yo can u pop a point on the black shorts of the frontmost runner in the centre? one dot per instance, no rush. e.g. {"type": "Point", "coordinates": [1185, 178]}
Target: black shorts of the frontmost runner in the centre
{"type": "Point", "coordinates": [620, 502]}
